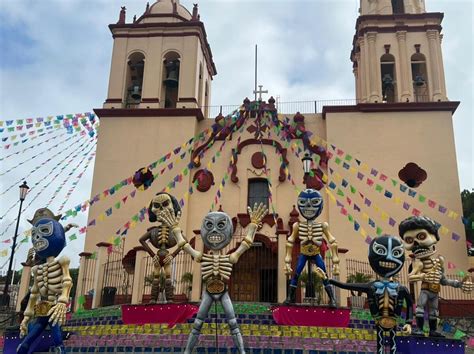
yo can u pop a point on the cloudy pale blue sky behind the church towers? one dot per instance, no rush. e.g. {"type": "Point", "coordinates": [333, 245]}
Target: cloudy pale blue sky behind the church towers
{"type": "Point", "coordinates": [55, 59]}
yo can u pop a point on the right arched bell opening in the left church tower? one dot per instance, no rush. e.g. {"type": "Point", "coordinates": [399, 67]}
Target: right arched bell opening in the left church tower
{"type": "Point", "coordinates": [170, 85]}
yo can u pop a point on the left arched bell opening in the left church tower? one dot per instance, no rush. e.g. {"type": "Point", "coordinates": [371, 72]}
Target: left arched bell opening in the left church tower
{"type": "Point", "coordinates": [134, 79]}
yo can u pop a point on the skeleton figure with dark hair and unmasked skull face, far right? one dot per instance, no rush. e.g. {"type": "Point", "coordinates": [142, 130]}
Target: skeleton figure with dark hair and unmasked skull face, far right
{"type": "Point", "coordinates": [420, 236]}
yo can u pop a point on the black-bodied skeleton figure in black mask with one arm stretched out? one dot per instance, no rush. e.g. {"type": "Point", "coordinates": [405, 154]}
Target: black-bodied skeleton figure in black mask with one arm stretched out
{"type": "Point", "coordinates": [385, 296]}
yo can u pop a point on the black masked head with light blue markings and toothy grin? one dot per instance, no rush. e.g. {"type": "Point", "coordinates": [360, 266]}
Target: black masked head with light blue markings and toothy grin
{"type": "Point", "coordinates": [386, 255]}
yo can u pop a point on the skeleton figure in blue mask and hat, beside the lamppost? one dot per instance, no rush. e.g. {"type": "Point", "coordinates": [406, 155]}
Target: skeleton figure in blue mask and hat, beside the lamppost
{"type": "Point", "coordinates": [51, 281]}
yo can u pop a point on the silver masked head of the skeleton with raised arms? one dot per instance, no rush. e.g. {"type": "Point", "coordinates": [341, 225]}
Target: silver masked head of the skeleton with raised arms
{"type": "Point", "coordinates": [216, 230]}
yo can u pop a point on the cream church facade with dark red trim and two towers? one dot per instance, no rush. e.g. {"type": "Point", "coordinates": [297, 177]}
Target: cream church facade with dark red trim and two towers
{"type": "Point", "coordinates": [373, 175]}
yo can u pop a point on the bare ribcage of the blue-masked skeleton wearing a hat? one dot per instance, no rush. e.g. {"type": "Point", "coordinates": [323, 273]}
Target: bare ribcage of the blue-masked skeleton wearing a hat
{"type": "Point", "coordinates": [49, 276]}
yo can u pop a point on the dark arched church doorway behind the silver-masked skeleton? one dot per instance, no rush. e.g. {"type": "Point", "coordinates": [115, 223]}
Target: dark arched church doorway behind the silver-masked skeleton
{"type": "Point", "coordinates": [254, 278]}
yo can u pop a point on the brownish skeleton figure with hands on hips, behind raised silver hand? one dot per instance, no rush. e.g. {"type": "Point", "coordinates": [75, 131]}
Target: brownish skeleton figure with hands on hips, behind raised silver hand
{"type": "Point", "coordinates": [161, 238]}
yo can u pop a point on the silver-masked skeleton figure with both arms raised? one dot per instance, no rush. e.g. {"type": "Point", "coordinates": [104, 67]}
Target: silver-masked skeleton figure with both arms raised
{"type": "Point", "coordinates": [216, 233]}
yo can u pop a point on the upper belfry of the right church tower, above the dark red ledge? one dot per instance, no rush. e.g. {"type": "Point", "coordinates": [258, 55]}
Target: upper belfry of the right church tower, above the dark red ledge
{"type": "Point", "coordinates": [396, 53]}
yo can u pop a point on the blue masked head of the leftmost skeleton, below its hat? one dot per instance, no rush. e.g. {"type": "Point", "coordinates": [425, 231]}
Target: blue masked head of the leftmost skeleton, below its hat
{"type": "Point", "coordinates": [48, 238]}
